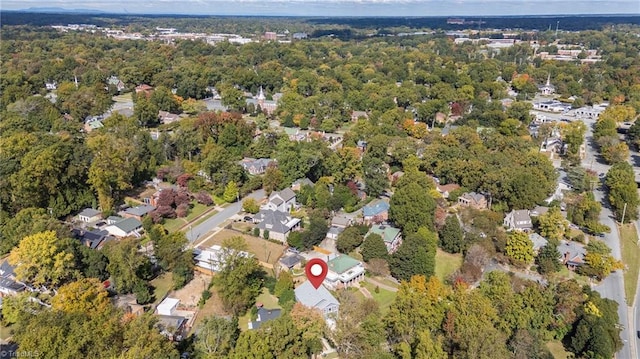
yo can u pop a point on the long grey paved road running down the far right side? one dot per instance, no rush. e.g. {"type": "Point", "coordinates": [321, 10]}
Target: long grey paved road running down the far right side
{"type": "Point", "coordinates": [611, 287]}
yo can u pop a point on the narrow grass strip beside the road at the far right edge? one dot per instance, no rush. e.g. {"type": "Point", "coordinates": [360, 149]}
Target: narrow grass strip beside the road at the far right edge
{"type": "Point", "coordinates": [631, 259]}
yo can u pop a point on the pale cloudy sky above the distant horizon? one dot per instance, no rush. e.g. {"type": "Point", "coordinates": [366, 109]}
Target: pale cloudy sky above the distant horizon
{"type": "Point", "coordinates": [340, 7]}
